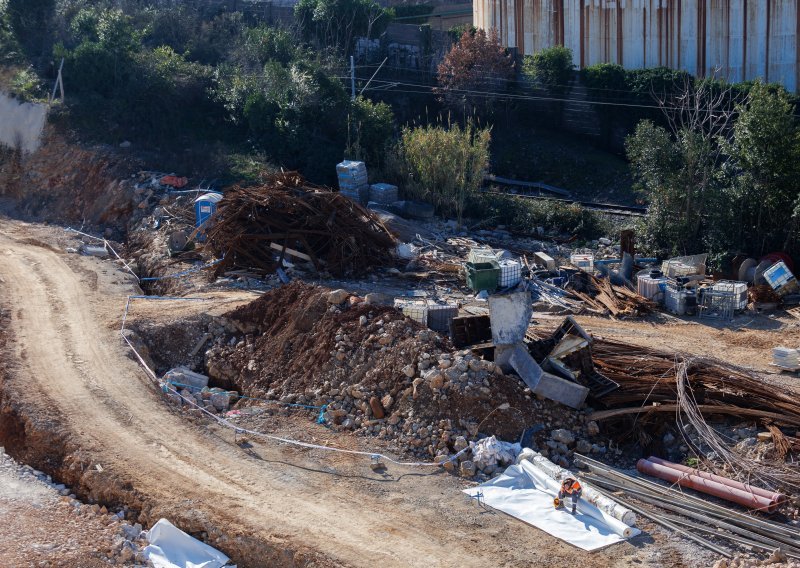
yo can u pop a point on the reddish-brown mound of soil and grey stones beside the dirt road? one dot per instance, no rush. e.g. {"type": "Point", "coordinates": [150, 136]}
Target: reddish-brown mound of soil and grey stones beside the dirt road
{"type": "Point", "coordinates": [380, 374]}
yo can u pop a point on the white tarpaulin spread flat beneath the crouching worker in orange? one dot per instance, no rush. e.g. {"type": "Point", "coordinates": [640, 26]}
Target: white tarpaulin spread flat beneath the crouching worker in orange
{"type": "Point", "coordinates": [527, 494]}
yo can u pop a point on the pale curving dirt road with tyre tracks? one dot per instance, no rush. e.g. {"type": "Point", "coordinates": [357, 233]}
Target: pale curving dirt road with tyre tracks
{"type": "Point", "coordinates": [271, 506]}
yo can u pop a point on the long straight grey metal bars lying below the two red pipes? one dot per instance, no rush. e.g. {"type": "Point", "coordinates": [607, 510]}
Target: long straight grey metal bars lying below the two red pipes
{"type": "Point", "coordinates": [723, 530]}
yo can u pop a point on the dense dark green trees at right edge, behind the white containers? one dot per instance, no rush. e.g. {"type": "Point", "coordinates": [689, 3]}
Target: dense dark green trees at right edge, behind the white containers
{"type": "Point", "coordinates": [724, 186]}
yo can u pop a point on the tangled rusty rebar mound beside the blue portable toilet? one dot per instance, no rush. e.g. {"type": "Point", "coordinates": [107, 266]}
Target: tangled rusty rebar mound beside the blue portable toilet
{"type": "Point", "coordinates": [257, 228]}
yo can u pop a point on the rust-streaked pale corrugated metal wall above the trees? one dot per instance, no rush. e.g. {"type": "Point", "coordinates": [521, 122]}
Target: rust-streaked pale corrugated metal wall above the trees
{"type": "Point", "coordinates": [735, 39]}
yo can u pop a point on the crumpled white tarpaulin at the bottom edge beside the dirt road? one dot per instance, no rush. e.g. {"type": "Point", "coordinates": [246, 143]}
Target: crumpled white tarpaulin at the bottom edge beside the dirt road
{"type": "Point", "coordinates": [170, 547]}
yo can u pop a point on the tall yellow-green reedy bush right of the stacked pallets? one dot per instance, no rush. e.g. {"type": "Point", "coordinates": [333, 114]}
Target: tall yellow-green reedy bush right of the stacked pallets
{"type": "Point", "coordinates": [445, 165]}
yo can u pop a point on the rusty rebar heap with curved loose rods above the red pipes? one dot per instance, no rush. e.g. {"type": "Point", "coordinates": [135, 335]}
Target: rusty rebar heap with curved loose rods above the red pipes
{"type": "Point", "coordinates": [658, 385]}
